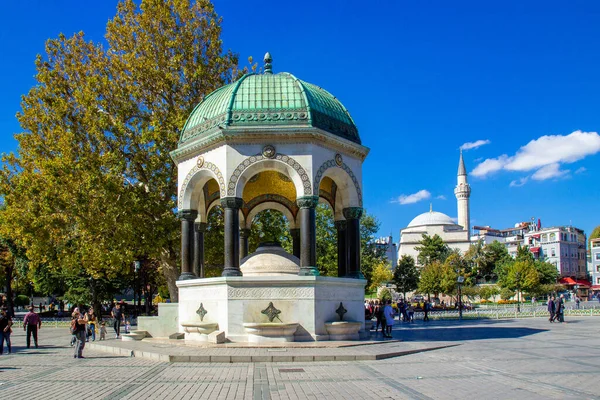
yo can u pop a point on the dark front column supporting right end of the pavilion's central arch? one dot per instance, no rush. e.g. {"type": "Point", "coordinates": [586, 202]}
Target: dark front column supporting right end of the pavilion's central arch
{"type": "Point", "coordinates": [308, 235]}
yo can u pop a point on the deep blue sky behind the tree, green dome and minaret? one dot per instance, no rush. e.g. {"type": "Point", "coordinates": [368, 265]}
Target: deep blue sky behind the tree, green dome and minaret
{"type": "Point", "coordinates": [420, 79]}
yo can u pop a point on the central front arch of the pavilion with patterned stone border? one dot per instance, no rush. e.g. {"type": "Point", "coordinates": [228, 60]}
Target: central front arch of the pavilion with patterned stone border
{"type": "Point", "coordinates": [280, 162]}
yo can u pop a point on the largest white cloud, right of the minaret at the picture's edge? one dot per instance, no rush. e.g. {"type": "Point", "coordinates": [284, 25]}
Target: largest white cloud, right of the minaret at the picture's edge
{"type": "Point", "coordinates": [545, 155]}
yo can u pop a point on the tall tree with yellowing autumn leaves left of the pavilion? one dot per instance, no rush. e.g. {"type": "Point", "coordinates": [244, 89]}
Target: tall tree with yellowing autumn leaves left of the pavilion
{"type": "Point", "coordinates": [92, 184]}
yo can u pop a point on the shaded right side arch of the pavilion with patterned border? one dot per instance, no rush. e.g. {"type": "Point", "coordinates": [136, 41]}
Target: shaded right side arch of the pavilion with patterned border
{"type": "Point", "coordinates": [345, 179]}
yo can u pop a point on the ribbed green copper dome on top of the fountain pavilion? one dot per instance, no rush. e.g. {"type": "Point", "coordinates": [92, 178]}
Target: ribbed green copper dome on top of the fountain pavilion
{"type": "Point", "coordinates": [269, 100]}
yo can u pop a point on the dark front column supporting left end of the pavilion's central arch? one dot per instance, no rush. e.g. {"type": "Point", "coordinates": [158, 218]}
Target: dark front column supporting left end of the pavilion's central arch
{"type": "Point", "coordinates": [231, 210]}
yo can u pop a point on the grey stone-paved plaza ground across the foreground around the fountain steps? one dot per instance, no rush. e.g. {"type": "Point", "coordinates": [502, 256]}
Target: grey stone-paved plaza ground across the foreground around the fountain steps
{"type": "Point", "coordinates": [522, 359]}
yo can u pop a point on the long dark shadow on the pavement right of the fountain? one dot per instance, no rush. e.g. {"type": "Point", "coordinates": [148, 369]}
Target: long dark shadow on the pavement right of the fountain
{"type": "Point", "coordinates": [449, 334]}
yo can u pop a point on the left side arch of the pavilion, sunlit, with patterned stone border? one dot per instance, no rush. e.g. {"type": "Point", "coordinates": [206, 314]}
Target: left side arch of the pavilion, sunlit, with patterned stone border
{"type": "Point", "coordinates": [191, 188]}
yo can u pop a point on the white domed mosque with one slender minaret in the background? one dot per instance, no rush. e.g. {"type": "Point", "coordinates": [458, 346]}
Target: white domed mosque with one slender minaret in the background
{"type": "Point", "coordinates": [455, 235]}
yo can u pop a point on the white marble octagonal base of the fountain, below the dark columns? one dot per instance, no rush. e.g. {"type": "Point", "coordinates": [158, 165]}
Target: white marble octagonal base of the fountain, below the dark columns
{"type": "Point", "coordinates": [309, 301]}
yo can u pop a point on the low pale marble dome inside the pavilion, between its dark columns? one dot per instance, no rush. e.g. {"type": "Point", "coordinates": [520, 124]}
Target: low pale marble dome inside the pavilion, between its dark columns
{"type": "Point", "coordinates": [270, 259]}
